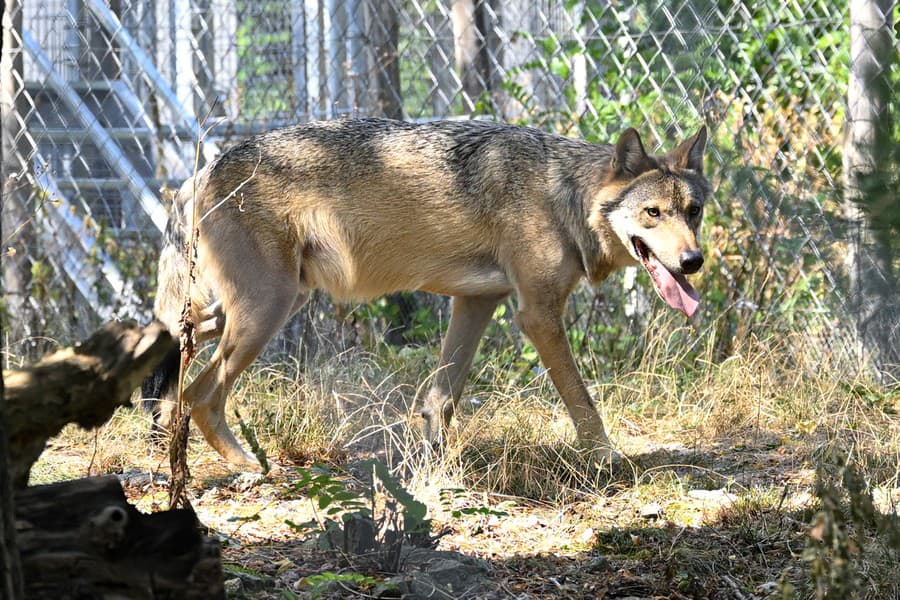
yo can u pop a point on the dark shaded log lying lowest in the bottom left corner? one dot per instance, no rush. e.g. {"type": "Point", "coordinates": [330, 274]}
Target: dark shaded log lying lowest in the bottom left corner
{"type": "Point", "coordinates": [81, 539]}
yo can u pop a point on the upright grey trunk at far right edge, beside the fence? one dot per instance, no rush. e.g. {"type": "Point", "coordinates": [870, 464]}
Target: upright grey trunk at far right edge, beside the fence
{"type": "Point", "coordinates": [869, 206]}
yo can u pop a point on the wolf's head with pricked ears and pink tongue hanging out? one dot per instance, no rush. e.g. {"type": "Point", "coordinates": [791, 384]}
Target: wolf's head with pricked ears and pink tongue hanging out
{"type": "Point", "coordinates": [656, 212]}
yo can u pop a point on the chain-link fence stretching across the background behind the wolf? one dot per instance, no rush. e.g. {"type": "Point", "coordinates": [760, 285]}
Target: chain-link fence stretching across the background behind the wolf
{"type": "Point", "coordinates": [103, 102]}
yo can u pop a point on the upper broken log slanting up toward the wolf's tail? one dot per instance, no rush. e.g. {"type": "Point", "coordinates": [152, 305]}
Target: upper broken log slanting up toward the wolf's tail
{"type": "Point", "coordinates": [83, 384]}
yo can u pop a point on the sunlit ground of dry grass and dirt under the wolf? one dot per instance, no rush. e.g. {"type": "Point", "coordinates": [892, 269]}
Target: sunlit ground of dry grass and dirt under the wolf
{"type": "Point", "coordinates": [715, 499]}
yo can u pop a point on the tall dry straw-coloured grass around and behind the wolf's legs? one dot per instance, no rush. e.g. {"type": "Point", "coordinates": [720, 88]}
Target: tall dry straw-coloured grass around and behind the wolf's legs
{"type": "Point", "coordinates": [513, 437]}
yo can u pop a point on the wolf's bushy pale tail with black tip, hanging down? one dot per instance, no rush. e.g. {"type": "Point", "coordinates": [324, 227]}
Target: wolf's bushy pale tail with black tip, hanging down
{"type": "Point", "coordinates": [159, 387]}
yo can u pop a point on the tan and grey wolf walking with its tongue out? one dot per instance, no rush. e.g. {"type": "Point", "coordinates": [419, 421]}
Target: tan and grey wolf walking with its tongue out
{"type": "Point", "coordinates": [472, 209]}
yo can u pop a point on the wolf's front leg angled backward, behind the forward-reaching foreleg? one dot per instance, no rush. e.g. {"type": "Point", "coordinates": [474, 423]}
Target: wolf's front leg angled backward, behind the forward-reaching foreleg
{"type": "Point", "coordinates": [468, 319]}
